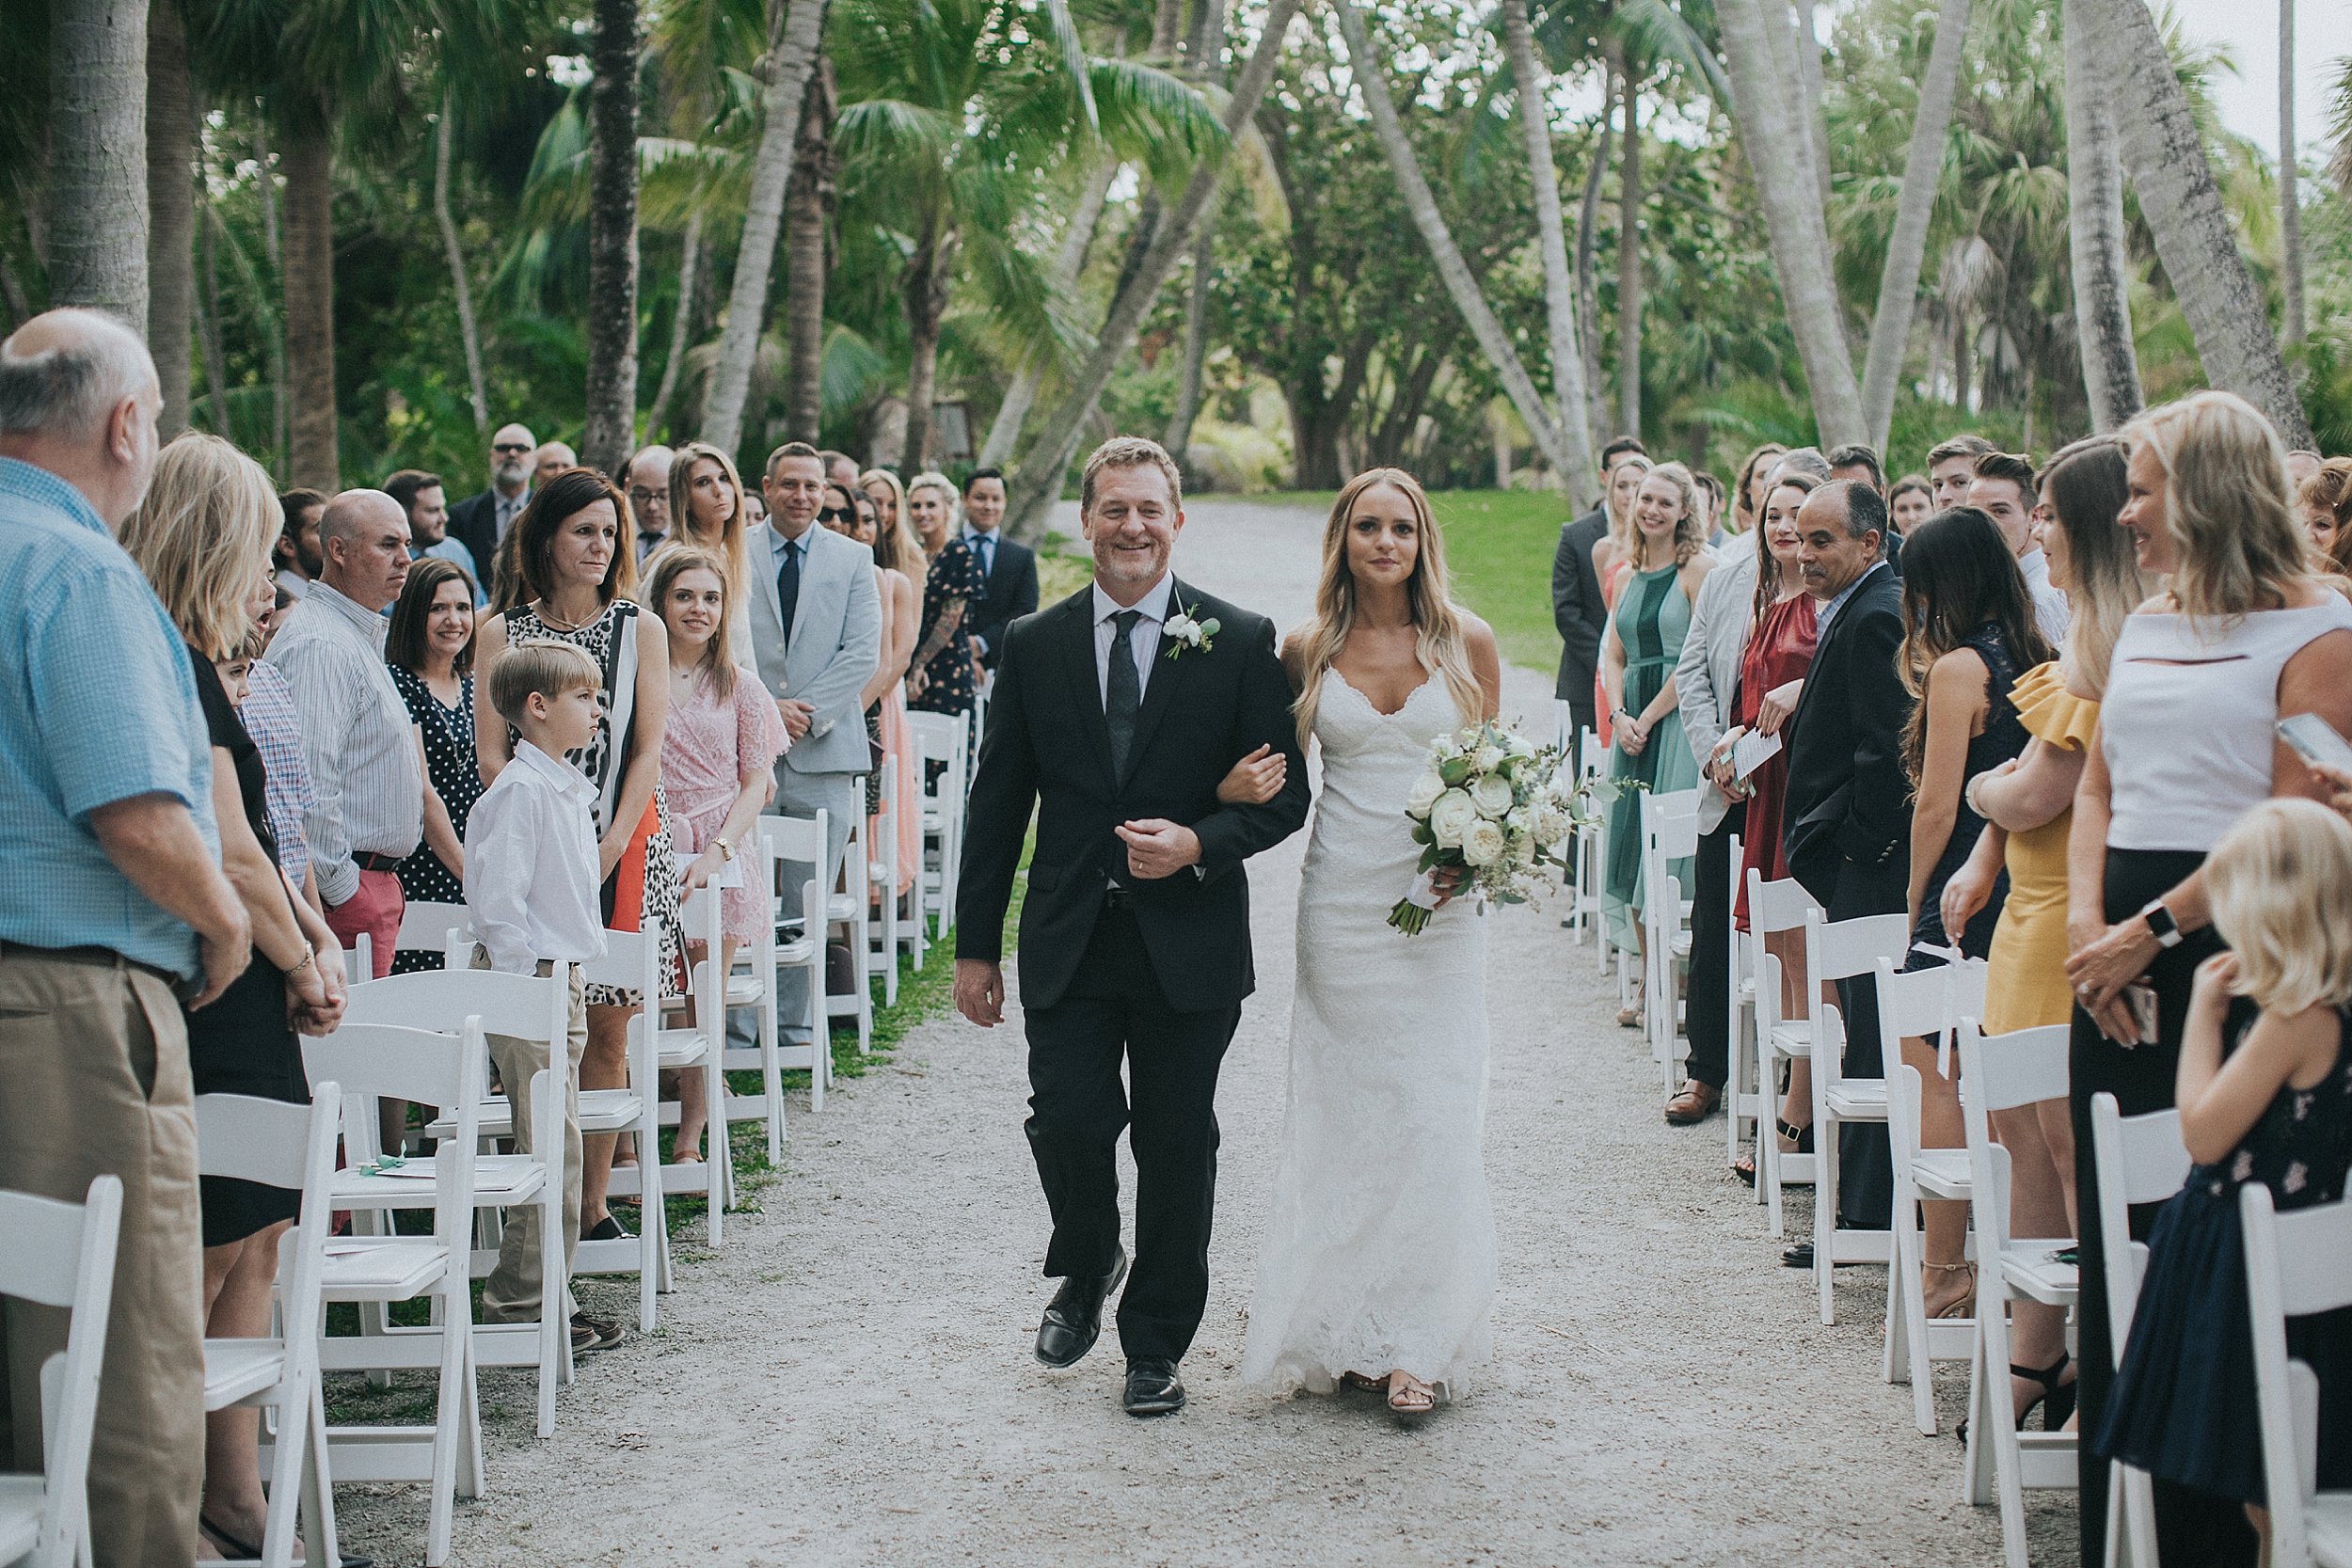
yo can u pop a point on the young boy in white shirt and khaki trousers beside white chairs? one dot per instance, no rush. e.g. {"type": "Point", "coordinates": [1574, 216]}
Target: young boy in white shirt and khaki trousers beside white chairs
{"type": "Point", "coordinates": [533, 897]}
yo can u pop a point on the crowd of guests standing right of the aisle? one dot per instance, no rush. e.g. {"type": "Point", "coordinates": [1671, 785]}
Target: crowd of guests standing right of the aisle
{"type": "Point", "coordinates": [2031, 709]}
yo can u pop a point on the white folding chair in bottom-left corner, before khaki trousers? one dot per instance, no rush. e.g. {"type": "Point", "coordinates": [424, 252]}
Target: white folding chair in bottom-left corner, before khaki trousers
{"type": "Point", "coordinates": [60, 1257]}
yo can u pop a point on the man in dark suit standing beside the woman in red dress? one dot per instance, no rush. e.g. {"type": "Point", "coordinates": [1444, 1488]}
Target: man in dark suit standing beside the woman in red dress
{"type": "Point", "coordinates": [1847, 796]}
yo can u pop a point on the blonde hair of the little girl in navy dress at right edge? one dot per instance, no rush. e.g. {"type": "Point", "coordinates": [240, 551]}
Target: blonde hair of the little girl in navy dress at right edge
{"type": "Point", "coordinates": [2280, 885]}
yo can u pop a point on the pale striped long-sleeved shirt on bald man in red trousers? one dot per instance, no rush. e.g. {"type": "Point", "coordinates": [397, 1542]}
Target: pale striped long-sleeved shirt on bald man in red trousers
{"type": "Point", "coordinates": [356, 735]}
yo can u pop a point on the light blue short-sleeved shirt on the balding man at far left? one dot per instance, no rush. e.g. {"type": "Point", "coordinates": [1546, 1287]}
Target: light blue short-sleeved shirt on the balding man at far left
{"type": "Point", "coordinates": [98, 706]}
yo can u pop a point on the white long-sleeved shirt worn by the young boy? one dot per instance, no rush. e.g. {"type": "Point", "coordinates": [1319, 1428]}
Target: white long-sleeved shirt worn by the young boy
{"type": "Point", "coordinates": [530, 866]}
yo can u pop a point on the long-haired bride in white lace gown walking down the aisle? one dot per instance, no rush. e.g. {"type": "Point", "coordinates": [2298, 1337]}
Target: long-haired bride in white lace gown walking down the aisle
{"type": "Point", "coordinates": [1379, 1254]}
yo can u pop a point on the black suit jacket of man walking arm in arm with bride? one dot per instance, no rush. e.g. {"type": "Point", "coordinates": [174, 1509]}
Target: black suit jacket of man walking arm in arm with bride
{"type": "Point", "coordinates": [1048, 746]}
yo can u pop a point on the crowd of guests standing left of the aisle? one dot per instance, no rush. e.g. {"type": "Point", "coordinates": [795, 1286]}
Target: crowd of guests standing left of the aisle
{"type": "Point", "coordinates": [253, 728]}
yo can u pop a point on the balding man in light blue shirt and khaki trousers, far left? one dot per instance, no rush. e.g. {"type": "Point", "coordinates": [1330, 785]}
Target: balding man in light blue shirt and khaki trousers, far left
{"type": "Point", "coordinates": [112, 911]}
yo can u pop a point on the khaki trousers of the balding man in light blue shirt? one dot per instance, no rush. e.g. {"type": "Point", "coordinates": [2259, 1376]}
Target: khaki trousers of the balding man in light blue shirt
{"type": "Point", "coordinates": [95, 1080]}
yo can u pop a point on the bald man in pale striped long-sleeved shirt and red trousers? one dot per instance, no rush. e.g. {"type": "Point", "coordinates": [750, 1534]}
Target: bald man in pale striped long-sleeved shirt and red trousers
{"type": "Point", "coordinates": [370, 793]}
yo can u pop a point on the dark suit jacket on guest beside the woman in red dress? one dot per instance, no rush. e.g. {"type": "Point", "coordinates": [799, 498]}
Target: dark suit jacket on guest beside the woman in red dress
{"type": "Point", "coordinates": [1847, 793]}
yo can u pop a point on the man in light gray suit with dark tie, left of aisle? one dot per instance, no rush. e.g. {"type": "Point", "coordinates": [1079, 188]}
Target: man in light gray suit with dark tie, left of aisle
{"type": "Point", "coordinates": [817, 638]}
